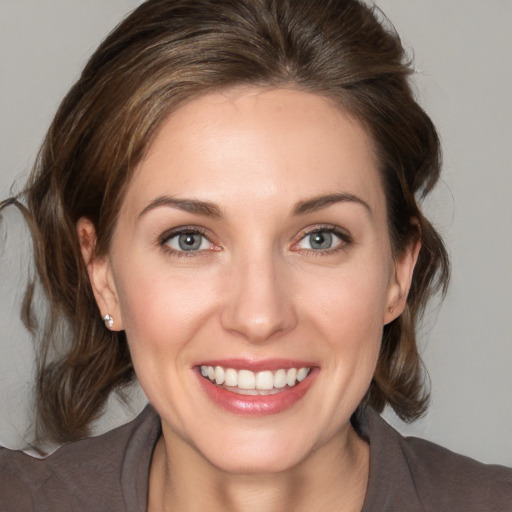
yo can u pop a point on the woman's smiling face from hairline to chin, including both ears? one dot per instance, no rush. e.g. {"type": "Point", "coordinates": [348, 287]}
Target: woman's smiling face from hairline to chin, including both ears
{"type": "Point", "coordinates": [252, 271]}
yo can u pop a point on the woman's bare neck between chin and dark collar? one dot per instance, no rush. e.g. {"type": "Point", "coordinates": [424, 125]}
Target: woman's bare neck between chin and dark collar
{"type": "Point", "coordinates": [333, 478]}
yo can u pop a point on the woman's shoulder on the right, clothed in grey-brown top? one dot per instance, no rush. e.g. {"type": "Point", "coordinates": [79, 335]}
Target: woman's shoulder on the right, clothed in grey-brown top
{"type": "Point", "coordinates": [422, 473]}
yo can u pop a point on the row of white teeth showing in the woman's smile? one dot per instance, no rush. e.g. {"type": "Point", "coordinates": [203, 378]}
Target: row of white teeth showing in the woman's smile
{"type": "Point", "coordinates": [247, 381]}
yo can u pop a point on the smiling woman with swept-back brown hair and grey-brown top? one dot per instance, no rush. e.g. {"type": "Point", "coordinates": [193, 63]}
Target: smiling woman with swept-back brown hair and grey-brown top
{"type": "Point", "coordinates": [226, 207]}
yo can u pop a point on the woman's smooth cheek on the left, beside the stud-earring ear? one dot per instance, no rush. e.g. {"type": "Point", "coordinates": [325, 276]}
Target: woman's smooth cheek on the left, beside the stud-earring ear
{"type": "Point", "coordinates": [161, 315]}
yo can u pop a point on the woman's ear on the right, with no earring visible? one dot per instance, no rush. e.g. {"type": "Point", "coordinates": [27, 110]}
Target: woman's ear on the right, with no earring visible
{"type": "Point", "coordinates": [401, 279]}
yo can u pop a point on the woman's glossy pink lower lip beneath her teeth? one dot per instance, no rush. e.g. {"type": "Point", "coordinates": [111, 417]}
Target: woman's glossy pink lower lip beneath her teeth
{"type": "Point", "coordinates": [257, 405]}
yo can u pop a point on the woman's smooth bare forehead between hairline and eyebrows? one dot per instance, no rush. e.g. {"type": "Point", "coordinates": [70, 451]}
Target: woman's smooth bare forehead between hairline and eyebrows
{"type": "Point", "coordinates": [258, 145]}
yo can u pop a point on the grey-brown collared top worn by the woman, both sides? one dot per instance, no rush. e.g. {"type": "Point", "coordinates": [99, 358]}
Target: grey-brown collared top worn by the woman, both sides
{"type": "Point", "coordinates": [109, 473]}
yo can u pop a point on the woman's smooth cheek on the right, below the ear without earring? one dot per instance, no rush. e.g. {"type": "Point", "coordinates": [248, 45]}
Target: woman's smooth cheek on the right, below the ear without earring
{"type": "Point", "coordinates": [347, 311]}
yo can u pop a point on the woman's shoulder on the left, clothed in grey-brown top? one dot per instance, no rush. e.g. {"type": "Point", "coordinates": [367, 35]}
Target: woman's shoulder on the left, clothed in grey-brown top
{"type": "Point", "coordinates": [84, 475]}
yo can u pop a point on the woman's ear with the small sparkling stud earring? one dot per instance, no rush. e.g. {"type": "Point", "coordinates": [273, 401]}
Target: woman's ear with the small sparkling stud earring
{"type": "Point", "coordinates": [100, 274]}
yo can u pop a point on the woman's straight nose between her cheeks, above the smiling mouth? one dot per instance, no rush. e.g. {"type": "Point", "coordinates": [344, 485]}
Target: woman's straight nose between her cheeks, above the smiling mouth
{"type": "Point", "coordinates": [260, 305]}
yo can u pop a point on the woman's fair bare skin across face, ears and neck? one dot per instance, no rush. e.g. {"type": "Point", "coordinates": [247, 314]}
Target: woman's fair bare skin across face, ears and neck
{"type": "Point", "coordinates": [256, 290]}
